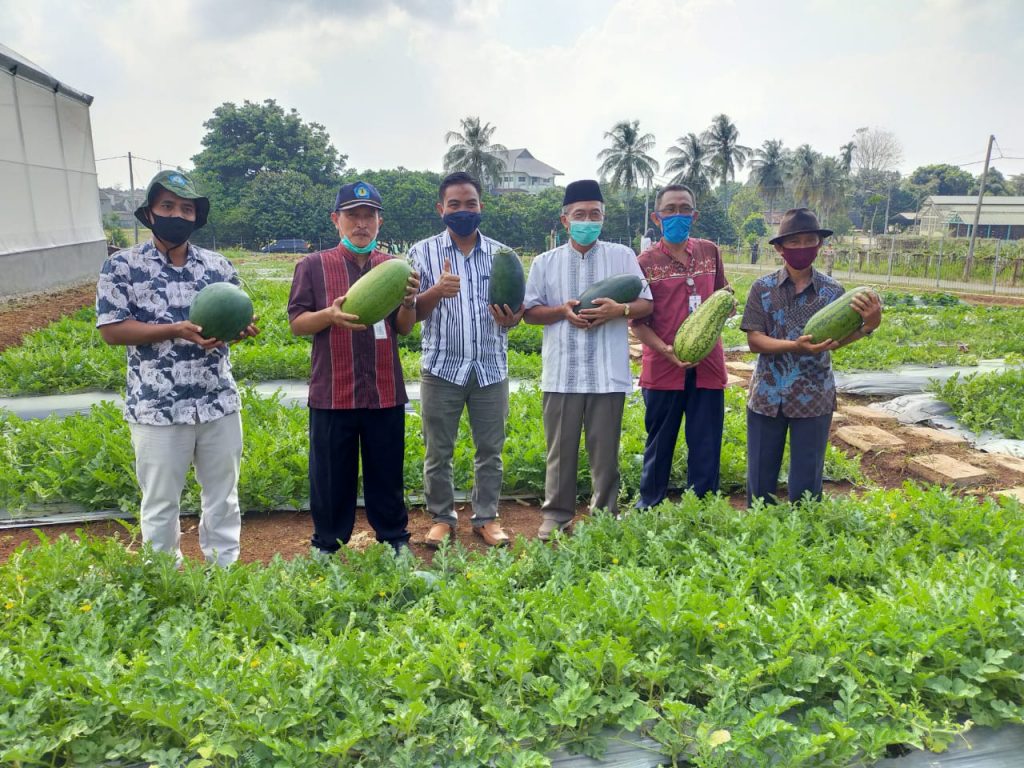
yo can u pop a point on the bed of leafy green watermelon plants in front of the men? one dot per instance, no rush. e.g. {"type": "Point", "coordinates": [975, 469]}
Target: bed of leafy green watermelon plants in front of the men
{"type": "Point", "coordinates": [825, 633]}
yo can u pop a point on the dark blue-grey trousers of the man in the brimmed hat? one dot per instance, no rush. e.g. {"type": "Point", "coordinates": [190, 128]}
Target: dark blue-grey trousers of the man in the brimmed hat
{"type": "Point", "coordinates": [765, 444]}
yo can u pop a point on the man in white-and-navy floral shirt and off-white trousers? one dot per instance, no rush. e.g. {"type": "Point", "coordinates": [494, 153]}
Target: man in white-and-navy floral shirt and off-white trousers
{"type": "Point", "coordinates": [182, 403]}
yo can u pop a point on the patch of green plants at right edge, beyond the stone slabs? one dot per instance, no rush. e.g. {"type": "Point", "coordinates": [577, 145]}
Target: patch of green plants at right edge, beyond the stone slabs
{"type": "Point", "coordinates": [988, 402]}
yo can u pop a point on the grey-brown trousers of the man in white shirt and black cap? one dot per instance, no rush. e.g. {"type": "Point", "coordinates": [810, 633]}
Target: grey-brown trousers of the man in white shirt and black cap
{"type": "Point", "coordinates": [601, 416]}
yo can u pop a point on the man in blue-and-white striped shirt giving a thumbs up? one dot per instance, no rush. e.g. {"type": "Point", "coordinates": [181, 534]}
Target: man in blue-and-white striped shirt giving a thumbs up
{"type": "Point", "coordinates": [465, 361]}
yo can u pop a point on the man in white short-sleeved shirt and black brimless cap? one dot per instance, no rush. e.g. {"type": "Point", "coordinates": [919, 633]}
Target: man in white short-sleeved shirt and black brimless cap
{"type": "Point", "coordinates": [586, 372]}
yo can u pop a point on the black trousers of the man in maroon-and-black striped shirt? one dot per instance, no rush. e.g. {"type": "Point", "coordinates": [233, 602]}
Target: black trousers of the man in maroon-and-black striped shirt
{"type": "Point", "coordinates": [336, 440]}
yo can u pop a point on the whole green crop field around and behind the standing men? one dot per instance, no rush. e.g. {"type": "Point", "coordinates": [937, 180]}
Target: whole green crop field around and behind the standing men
{"type": "Point", "coordinates": [884, 619]}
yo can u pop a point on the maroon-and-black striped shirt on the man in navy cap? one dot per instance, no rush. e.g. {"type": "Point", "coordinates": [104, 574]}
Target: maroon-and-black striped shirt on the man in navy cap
{"type": "Point", "coordinates": [351, 369]}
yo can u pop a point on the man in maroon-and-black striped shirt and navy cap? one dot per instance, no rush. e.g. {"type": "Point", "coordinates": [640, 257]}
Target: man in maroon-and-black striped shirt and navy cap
{"type": "Point", "coordinates": [357, 393]}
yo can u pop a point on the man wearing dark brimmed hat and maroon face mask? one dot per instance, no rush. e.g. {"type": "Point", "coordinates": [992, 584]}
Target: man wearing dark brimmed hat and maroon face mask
{"type": "Point", "coordinates": [793, 390]}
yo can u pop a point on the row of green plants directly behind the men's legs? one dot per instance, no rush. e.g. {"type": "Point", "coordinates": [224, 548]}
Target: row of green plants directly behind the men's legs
{"type": "Point", "coordinates": [89, 460]}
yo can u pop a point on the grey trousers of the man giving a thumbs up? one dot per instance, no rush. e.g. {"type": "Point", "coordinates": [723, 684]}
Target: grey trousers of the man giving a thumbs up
{"type": "Point", "coordinates": [442, 404]}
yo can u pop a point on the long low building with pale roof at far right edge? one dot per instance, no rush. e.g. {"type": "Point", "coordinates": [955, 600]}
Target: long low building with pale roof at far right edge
{"type": "Point", "coordinates": [1002, 218]}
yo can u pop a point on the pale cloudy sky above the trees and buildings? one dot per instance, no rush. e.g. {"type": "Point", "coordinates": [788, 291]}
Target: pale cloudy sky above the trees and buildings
{"type": "Point", "coordinates": [389, 78]}
